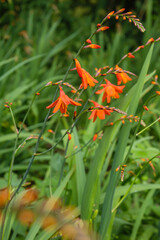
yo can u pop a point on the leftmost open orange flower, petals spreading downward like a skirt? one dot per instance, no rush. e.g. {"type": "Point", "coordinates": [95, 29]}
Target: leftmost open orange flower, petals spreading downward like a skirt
{"type": "Point", "coordinates": [62, 102]}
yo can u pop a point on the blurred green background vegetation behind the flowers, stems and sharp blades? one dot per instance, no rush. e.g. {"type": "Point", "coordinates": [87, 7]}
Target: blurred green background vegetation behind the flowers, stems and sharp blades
{"type": "Point", "coordinates": [38, 40]}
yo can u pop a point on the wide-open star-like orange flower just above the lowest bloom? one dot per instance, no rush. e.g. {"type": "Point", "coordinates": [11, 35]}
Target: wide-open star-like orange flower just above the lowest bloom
{"type": "Point", "coordinates": [110, 90]}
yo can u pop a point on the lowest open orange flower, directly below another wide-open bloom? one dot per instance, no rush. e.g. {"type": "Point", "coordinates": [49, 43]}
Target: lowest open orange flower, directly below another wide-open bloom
{"type": "Point", "coordinates": [100, 111]}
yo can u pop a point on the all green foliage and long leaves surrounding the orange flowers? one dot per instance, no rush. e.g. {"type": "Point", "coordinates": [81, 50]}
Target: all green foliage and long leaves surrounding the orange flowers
{"type": "Point", "coordinates": [37, 46]}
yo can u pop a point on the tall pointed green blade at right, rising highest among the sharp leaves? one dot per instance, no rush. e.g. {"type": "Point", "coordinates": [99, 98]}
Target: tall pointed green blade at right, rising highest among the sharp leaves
{"type": "Point", "coordinates": [122, 143]}
